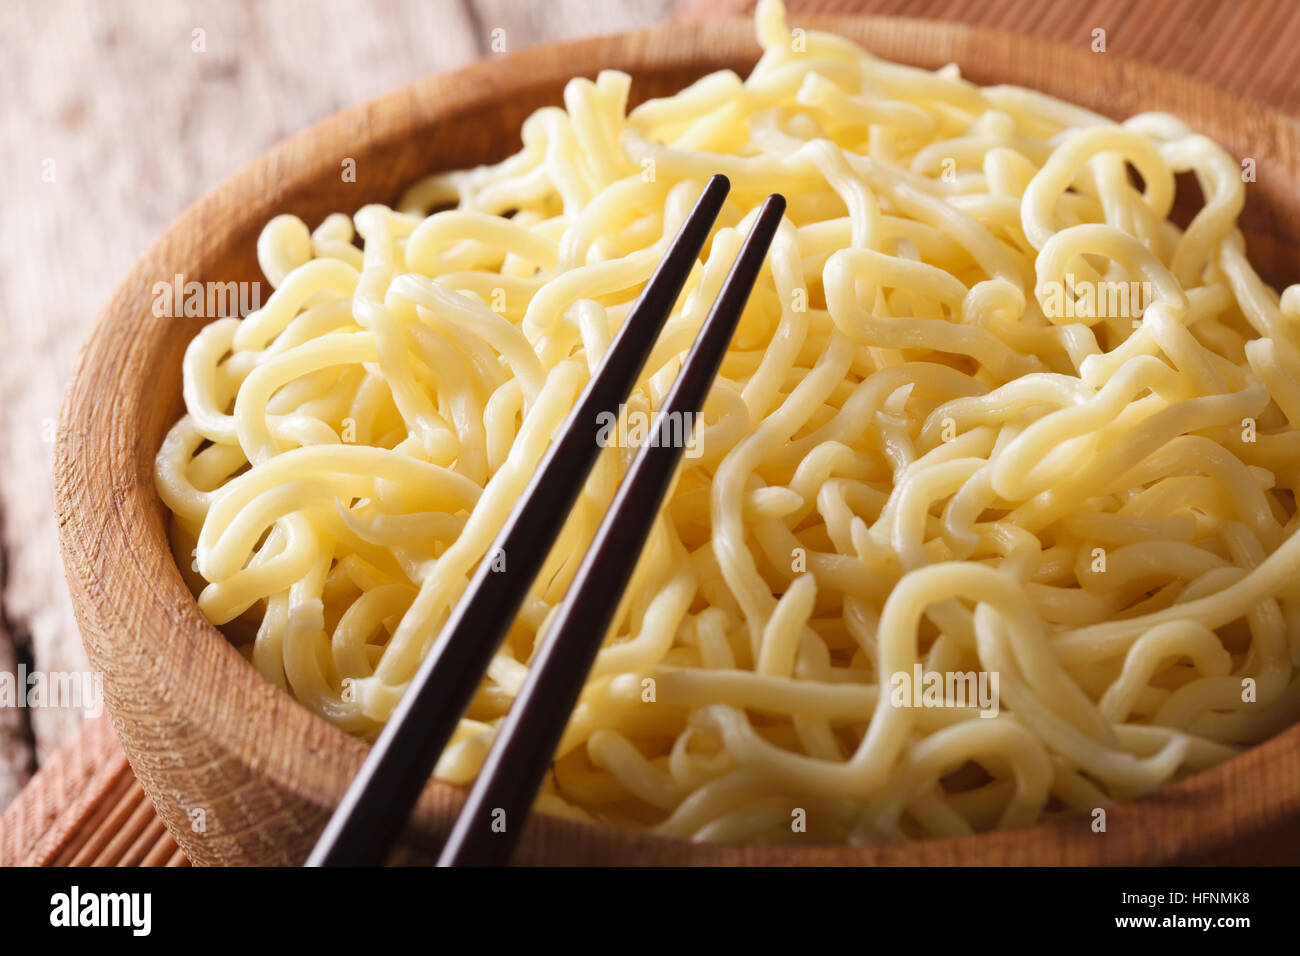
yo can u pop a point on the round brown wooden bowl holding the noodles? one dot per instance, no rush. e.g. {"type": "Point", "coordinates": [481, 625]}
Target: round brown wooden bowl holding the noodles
{"type": "Point", "coordinates": [244, 775]}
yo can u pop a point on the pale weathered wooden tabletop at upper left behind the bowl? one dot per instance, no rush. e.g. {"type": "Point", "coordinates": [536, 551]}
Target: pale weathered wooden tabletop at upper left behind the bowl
{"type": "Point", "coordinates": [137, 126]}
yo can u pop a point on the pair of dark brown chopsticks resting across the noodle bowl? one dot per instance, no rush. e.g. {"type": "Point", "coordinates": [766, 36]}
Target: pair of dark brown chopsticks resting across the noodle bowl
{"type": "Point", "coordinates": [374, 811]}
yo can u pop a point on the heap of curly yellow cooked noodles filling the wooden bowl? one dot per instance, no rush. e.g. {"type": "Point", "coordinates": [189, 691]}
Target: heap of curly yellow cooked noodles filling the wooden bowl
{"type": "Point", "coordinates": [989, 518]}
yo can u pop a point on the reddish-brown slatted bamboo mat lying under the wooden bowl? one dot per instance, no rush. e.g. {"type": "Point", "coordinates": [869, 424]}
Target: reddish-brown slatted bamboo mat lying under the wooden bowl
{"type": "Point", "coordinates": [86, 808]}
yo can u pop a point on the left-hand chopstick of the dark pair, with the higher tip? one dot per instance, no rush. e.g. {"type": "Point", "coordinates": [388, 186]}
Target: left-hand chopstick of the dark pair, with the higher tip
{"type": "Point", "coordinates": [376, 806]}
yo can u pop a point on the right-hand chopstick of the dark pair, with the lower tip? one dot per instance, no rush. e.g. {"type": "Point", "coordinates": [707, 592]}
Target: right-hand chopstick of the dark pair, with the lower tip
{"type": "Point", "coordinates": [491, 823]}
